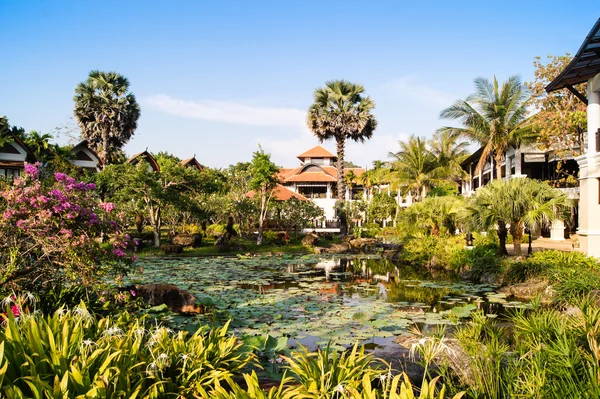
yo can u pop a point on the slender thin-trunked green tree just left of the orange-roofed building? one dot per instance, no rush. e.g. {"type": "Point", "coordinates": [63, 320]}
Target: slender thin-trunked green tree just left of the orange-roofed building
{"type": "Point", "coordinates": [264, 181]}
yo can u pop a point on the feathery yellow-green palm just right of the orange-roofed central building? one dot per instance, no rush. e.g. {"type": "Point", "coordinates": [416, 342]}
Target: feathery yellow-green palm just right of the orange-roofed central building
{"type": "Point", "coordinates": [414, 168]}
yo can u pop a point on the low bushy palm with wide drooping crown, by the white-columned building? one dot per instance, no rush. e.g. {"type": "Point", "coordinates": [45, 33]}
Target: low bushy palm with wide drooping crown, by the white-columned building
{"type": "Point", "coordinates": [515, 204]}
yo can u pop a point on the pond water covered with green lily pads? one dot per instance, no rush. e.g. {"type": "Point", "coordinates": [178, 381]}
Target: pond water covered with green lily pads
{"type": "Point", "coordinates": [313, 300]}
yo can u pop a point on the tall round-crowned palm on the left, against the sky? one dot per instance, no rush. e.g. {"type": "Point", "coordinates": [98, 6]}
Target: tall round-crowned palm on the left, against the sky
{"type": "Point", "coordinates": [106, 112]}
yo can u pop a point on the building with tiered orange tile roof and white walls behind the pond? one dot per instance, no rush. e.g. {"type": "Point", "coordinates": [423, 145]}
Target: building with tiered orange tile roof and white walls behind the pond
{"type": "Point", "coordinates": [316, 179]}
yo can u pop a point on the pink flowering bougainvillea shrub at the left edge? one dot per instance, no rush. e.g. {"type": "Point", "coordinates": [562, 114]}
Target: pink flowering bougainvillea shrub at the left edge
{"type": "Point", "coordinates": [55, 235]}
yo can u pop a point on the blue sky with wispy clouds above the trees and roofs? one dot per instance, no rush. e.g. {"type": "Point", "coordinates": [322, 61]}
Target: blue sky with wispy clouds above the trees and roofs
{"type": "Point", "coordinates": [216, 79]}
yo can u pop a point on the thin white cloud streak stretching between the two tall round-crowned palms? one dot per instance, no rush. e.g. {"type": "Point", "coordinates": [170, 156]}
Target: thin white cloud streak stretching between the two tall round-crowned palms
{"type": "Point", "coordinates": [228, 112]}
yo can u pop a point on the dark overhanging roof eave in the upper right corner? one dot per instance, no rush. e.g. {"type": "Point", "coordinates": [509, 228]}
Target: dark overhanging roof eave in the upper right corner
{"type": "Point", "coordinates": [584, 66]}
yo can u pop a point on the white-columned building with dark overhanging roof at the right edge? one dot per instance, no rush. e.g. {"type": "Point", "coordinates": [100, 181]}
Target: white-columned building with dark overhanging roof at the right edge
{"type": "Point", "coordinates": [585, 67]}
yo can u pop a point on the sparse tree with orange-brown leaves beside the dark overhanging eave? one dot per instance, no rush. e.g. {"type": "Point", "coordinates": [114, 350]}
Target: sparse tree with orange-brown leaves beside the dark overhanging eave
{"type": "Point", "coordinates": [561, 119]}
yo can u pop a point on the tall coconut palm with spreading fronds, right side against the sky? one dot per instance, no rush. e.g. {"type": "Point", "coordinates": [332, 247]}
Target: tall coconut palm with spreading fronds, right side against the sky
{"type": "Point", "coordinates": [493, 116]}
